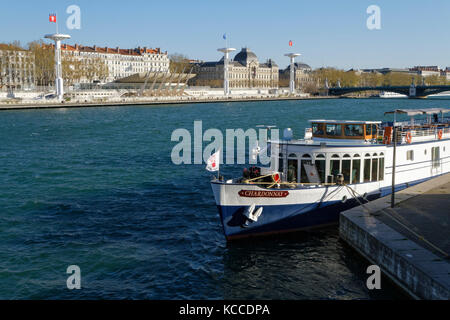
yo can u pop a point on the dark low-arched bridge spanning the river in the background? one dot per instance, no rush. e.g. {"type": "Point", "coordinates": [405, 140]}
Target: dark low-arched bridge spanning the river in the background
{"type": "Point", "coordinates": [411, 91]}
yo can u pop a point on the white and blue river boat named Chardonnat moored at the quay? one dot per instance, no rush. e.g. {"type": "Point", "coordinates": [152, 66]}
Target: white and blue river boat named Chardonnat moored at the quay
{"type": "Point", "coordinates": [338, 165]}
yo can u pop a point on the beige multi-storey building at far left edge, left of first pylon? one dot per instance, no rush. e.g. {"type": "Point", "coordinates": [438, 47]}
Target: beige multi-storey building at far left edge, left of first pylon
{"type": "Point", "coordinates": [17, 68]}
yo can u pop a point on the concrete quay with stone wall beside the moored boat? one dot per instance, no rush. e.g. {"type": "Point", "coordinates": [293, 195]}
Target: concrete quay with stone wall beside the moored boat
{"type": "Point", "coordinates": [410, 242]}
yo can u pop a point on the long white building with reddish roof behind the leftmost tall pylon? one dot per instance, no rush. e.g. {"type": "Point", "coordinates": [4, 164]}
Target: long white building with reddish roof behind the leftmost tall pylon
{"type": "Point", "coordinates": [115, 63]}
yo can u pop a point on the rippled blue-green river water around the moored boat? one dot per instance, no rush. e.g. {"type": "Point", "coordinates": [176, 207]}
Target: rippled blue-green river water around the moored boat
{"type": "Point", "coordinates": [95, 187]}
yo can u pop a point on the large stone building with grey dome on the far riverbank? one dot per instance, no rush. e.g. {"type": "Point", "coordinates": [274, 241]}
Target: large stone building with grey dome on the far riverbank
{"type": "Point", "coordinates": [244, 71]}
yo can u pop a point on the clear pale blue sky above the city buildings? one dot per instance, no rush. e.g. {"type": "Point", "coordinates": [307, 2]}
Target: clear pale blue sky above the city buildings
{"type": "Point", "coordinates": [326, 33]}
